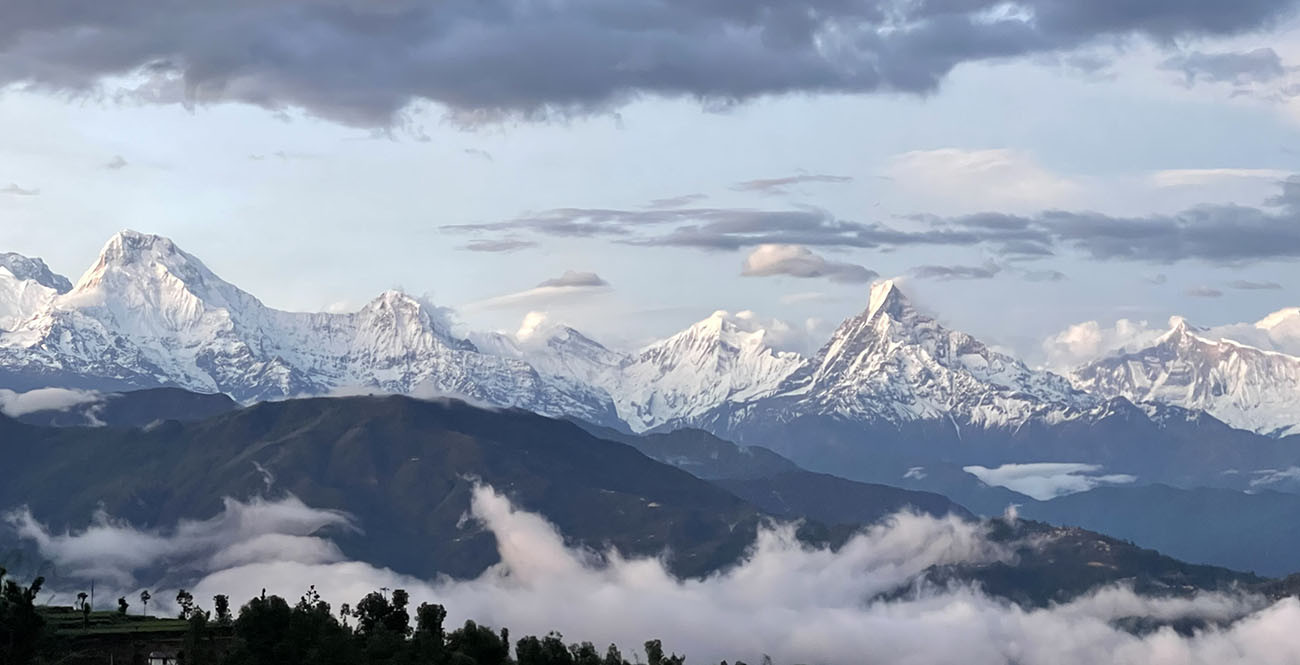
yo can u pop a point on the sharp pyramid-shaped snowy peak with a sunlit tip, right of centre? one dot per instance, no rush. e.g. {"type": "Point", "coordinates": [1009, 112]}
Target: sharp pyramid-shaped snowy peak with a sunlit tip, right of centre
{"type": "Point", "coordinates": [896, 364]}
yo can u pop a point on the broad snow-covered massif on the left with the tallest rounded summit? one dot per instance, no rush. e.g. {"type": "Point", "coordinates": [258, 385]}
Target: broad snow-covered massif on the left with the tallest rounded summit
{"type": "Point", "coordinates": [150, 315]}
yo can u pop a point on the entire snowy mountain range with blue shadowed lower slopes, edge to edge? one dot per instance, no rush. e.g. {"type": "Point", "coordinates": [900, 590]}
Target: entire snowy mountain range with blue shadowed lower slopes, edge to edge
{"type": "Point", "coordinates": [891, 390]}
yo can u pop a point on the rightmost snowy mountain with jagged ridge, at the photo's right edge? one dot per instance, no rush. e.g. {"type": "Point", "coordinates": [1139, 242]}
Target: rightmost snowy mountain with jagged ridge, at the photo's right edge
{"type": "Point", "coordinates": [1245, 386]}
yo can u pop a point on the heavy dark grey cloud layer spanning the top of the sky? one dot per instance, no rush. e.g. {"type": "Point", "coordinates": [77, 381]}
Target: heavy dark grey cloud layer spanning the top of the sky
{"type": "Point", "coordinates": [362, 63]}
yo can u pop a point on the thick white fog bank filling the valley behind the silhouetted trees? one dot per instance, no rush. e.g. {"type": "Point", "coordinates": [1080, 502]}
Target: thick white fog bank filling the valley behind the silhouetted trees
{"type": "Point", "coordinates": [787, 601]}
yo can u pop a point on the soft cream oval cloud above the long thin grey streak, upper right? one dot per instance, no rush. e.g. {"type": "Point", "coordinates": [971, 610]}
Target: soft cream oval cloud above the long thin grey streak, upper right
{"type": "Point", "coordinates": [983, 180]}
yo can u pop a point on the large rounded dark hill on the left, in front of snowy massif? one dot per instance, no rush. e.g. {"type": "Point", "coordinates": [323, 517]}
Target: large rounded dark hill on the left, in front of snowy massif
{"type": "Point", "coordinates": [405, 468]}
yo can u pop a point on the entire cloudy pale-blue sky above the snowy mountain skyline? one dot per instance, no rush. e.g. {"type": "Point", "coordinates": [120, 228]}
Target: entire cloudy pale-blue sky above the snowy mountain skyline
{"type": "Point", "coordinates": [631, 168]}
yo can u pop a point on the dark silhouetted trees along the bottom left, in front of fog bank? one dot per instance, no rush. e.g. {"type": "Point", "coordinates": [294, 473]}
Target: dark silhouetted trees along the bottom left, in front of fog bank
{"type": "Point", "coordinates": [267, 631]}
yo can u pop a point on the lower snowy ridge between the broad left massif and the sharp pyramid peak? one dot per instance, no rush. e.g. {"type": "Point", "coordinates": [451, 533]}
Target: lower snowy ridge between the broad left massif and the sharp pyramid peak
{"type": "Point", "coordinates": [723, 359]}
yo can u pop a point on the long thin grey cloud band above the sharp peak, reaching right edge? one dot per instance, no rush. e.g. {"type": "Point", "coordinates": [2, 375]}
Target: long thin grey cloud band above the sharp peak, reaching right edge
{"type": "Point", "coordinates": [1224, 234]}
